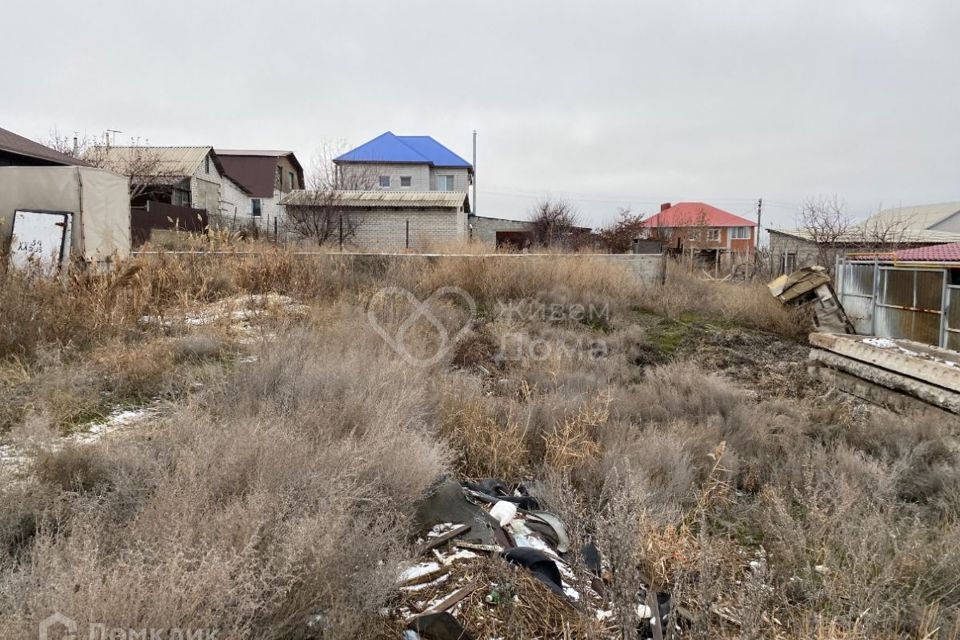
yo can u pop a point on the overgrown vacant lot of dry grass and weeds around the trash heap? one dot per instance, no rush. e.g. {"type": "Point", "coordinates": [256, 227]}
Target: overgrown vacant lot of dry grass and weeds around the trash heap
{"type": "Point", "coordinates": [274, 480]}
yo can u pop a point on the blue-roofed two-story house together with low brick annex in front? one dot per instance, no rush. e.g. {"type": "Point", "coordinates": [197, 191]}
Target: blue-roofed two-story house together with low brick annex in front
{"type": "Point", "coordinates": [393, 193]}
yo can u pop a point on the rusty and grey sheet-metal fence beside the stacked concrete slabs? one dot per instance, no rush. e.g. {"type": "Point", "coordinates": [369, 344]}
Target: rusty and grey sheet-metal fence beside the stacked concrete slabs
{"type": "Point", "coordinates": [913, 302]}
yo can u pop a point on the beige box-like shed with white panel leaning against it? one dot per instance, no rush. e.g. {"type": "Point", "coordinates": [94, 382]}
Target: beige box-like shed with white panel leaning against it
{"type": "Point", "coordinates": [93, 205]}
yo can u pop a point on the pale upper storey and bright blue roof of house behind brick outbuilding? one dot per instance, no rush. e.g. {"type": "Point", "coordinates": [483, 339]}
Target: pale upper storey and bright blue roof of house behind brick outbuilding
{"type": "Point", "coordinates": [405, 163]}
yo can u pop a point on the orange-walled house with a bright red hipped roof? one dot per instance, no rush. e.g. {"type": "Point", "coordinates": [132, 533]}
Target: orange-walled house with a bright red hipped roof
{"type": "Point", "coordinates": [702, 229]}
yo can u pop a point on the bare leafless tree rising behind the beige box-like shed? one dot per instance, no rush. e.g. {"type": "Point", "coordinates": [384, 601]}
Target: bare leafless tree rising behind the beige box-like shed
{"type": "Point", "coordinates": [149, 175]}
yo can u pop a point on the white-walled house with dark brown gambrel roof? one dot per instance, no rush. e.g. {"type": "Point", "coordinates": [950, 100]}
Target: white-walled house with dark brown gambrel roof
{"type": "Point", "coordinates": [255, 181]}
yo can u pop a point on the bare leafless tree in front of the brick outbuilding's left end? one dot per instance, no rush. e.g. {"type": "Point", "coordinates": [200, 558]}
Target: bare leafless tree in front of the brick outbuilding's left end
{"type": "Point", "coordinates": [317, 213]}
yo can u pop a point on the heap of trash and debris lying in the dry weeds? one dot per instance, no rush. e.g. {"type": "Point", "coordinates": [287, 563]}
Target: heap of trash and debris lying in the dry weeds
{"type": "Point", "coordinates": [493, 564]}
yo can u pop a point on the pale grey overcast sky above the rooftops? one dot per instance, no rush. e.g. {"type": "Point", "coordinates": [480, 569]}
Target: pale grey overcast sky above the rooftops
{"type": "Point", "coordinates": [608, 104]}
